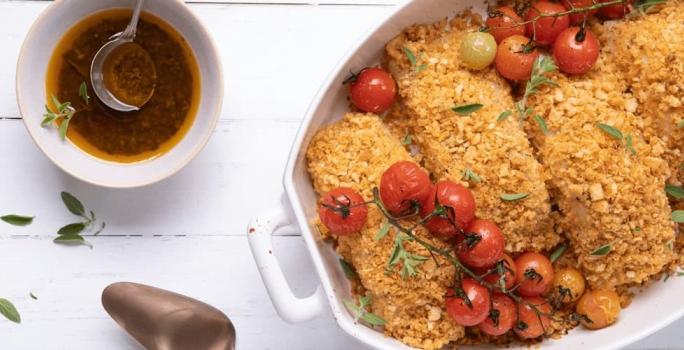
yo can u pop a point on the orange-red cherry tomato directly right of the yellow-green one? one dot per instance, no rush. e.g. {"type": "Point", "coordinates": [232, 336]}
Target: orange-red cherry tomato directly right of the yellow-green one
{"type": "Point", "coordinates": [515, 57]}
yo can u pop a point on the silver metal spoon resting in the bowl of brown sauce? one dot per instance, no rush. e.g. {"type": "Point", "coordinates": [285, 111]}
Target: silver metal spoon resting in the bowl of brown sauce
{"type": "Point", "coordinates": [98, 78]}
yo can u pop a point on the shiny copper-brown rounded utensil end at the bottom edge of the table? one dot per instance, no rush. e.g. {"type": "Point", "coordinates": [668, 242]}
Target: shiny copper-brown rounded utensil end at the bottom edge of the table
{"type": "Point", "coordinates": [163, 320]}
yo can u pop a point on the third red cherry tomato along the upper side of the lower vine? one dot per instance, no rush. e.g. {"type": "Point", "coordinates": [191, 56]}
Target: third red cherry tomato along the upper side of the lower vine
{"type": "Point", "coordinates": [482, 244]}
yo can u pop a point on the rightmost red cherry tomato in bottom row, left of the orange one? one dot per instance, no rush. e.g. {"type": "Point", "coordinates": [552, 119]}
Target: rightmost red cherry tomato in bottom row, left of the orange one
{"type": "Point", "coordinates": [530, 324]}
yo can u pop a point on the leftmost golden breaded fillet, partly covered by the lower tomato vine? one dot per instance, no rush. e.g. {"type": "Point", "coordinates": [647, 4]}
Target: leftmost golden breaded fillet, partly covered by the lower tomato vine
{"type": "Point", "coordinates": [354, 153]}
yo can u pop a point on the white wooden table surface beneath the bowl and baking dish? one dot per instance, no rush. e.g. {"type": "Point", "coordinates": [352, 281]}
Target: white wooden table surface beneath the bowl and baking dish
{"type": "Point", "coordinates": [186, 234]}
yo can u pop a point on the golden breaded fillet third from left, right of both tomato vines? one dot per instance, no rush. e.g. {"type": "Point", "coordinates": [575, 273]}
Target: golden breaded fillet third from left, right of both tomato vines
{"type": "Point", "coordinates": [609, 196]}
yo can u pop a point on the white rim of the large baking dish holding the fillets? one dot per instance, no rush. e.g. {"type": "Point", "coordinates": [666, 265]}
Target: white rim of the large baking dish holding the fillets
{"type": "Point", "coordinates": [297, 210]}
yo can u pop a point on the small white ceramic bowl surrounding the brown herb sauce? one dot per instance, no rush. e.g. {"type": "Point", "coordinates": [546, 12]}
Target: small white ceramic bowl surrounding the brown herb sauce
{"type": "Point", "coordinates": [32, 68]}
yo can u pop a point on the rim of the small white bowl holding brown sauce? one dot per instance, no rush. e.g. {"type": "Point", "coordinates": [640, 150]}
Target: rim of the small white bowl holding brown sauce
{"type": "Point", "coordinates": [182, 163]}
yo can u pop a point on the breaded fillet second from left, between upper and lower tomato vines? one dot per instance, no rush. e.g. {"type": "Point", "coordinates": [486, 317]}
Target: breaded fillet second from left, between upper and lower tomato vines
{"type": "Point", "coordinates": [498, 152]}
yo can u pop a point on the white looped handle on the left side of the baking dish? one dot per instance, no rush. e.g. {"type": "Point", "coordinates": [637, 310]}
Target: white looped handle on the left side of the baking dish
{"type": "Point", "coordinates": [291, 308]}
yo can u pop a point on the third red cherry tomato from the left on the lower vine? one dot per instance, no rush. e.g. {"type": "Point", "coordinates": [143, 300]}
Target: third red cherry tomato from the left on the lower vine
{"type": "Point", "coordinates": [459, 206]}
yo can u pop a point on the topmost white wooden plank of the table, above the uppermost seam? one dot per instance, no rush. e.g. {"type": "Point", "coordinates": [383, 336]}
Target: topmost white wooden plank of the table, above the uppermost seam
{"type": "Point", "coordinates": [274, 57]}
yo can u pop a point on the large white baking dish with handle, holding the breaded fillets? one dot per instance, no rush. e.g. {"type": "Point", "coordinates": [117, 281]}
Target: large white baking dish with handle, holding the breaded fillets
{"type": "Point", "coordinates": [650, 311]}
